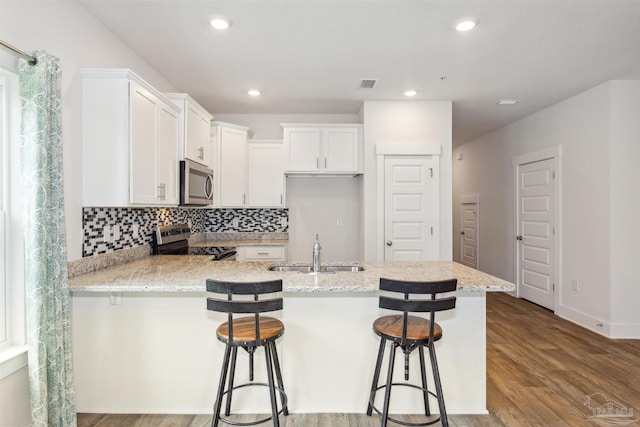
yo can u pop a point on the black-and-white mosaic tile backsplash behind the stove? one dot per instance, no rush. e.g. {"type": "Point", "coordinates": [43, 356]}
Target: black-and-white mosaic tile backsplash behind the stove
{"type": "Point", "coordinates": [131, 227]}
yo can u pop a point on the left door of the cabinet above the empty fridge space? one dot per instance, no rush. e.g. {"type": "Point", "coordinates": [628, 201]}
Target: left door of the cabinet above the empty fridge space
{"type": "Point", "coordinates": [303, 146]}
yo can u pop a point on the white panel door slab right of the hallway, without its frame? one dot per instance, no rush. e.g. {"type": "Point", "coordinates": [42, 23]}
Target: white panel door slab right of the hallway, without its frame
{"type": "Point", "coordinates": [535, 199]}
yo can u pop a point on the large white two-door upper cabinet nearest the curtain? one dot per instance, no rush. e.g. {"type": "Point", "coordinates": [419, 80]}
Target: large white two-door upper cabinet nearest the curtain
{"type": "Point", "coordinates": [129, 141]}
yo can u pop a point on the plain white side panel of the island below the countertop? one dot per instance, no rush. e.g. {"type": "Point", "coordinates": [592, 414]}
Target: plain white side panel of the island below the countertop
{"type": "Point", "coordinates": [157, 353]}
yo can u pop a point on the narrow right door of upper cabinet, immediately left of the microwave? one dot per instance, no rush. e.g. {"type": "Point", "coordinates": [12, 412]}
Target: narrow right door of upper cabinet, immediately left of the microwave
{"type": "Point", "coordinates": [167, 163]}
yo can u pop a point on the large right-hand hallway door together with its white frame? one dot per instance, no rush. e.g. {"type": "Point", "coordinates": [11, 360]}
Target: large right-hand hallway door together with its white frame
{"type": "Point", "coordinates": [537, 183]}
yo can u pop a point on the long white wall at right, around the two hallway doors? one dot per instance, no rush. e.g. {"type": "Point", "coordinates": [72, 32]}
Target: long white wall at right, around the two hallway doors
{"type": "Point", "coordinates": [584, 128]}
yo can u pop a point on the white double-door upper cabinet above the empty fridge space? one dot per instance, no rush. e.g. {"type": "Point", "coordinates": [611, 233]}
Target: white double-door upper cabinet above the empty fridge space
{"type": "Point", "coordinates": [322, 149]}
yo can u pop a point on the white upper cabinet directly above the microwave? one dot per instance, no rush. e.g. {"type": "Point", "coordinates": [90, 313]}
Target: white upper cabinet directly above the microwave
{"type": "Point", "coordinates": [195, 129]}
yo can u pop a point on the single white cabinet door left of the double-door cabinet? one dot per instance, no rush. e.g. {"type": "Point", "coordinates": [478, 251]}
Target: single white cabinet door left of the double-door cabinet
{"type": "Point", "coordinates": [266, 174]}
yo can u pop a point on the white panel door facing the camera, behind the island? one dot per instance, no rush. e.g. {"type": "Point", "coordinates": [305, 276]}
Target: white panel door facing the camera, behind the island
{"type": "Point", "coordinates": [411, 206]}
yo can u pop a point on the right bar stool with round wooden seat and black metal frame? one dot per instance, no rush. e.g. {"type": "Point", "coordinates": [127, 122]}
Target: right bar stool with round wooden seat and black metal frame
{"type": "Point", "coordinates": [410, 333]}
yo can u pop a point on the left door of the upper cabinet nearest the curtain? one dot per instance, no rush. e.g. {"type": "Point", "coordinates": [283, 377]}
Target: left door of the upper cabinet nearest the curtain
{"type": "Point", "coordinates": [143, 108]}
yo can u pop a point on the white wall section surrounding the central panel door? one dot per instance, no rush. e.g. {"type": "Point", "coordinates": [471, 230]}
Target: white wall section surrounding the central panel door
{"type": "Point", "coordinates": [406, 121]}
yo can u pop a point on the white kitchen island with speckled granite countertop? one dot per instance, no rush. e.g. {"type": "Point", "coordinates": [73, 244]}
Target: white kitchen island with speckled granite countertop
{"type": "Point", "coordinates": [144, 342]}
